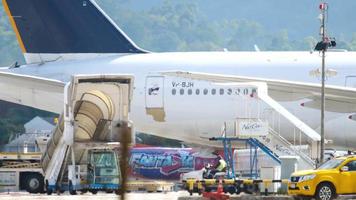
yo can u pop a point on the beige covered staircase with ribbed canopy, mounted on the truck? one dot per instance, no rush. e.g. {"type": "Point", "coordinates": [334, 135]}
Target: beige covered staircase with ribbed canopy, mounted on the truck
{"type": "Point", "coordinates": [94, 107]}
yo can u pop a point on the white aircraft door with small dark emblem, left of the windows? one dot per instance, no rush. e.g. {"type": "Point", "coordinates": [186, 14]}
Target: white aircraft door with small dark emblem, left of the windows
{"type": "Point", "coordinates": [154, 91]}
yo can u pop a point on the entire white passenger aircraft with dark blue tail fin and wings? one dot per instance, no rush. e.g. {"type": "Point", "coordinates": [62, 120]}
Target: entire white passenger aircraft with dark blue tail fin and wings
{"type": "Point", "coordinates": [180, 95]}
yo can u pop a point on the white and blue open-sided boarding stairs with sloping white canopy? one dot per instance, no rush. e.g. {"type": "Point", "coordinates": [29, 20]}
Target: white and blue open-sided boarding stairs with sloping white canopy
{"type": "Point", "coordinates": [266, 137]}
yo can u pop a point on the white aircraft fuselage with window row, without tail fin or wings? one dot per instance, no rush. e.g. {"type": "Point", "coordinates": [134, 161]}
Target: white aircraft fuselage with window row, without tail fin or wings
{"type": "Point", "coordinates": [191, 117]}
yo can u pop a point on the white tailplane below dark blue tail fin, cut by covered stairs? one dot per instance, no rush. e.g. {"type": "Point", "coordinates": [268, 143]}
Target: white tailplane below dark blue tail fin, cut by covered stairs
{"type": "Point", "coordinates": [41, 93]}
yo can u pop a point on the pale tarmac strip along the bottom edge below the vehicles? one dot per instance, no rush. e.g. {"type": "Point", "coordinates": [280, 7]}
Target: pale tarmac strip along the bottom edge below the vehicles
{"type": "Point", "coordinates": [181, 195]}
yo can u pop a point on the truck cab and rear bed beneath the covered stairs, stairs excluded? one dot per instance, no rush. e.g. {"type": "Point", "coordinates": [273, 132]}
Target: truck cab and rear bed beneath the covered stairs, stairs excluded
{"type": "Point", "coordinates": [23, 172]}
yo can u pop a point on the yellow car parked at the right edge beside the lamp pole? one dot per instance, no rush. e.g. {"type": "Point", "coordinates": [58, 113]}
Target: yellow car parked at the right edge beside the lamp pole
{"type": "Point", "coordinates": [334, 177]}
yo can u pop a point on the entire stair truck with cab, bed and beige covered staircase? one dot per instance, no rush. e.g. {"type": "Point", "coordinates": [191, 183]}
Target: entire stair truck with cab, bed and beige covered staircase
{"type": "Point", "coordinates": [81, 152]}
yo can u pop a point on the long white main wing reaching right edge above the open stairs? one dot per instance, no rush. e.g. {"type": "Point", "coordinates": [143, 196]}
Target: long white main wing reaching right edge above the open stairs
{"type": "Point", "coordinates": [338, 99]}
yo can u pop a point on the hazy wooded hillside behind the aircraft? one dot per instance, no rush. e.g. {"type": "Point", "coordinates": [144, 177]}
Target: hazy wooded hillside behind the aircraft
{"type": "Point", "coordinates": [197, 25]}
